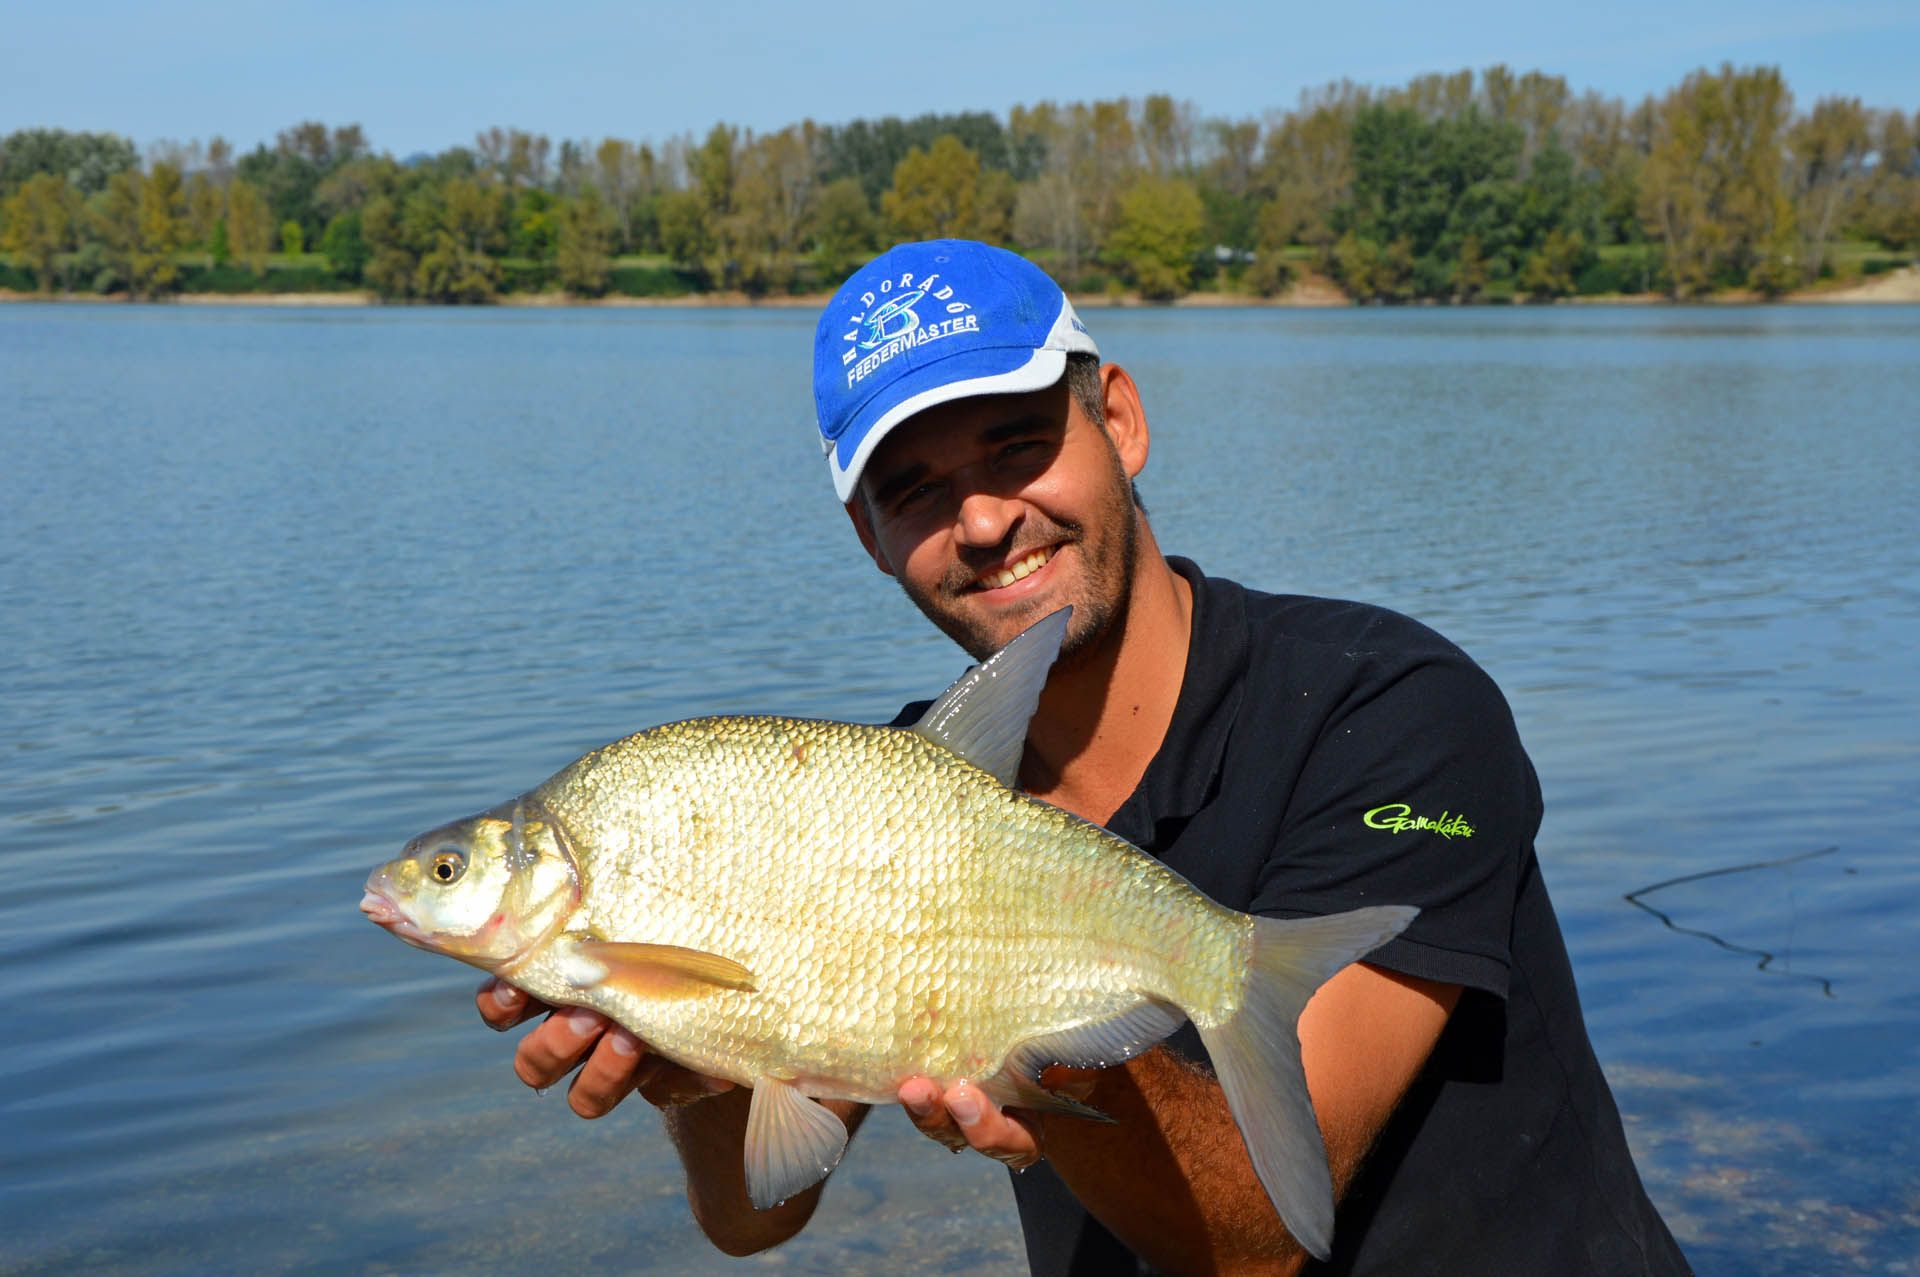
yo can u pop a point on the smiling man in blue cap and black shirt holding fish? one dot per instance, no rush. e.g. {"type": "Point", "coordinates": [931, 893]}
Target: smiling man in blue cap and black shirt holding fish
{"type": "Point", "coordinates": [1287, 756]}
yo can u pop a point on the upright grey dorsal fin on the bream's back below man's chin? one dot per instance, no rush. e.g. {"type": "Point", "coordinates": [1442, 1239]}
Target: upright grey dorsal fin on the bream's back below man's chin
{"type": "Point", "coordinates": [984, 715]}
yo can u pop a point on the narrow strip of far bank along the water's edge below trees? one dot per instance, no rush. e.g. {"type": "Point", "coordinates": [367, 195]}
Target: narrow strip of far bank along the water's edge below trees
{"type": "Point", "coordinates": [1312, 291]}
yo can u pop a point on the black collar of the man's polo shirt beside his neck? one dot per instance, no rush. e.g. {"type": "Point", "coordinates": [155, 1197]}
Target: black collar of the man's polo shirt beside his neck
{"type": "Point", "coordinates": [1186, 771]}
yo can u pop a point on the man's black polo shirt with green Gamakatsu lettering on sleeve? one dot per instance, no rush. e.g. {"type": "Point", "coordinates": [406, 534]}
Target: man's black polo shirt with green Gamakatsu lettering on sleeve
{"type": "Point", "coordinates": [1328, 756]}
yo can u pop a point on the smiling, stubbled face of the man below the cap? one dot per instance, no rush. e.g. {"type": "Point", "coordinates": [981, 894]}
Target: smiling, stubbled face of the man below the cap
{"type": "Point", "coordinates": [999, 510]}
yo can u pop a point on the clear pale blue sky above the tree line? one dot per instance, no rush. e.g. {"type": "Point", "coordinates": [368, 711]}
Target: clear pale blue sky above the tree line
{"type": "Point", "coordinates": [429, 74]}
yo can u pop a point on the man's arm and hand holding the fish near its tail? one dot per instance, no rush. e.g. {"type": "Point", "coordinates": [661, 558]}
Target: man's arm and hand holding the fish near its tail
{"type": "Point", "coordinates": [1172, 1178]}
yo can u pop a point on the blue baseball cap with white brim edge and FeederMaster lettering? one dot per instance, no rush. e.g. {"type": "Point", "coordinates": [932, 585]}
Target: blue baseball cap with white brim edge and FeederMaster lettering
{"type": "Point", "coordinates": [928, 324]}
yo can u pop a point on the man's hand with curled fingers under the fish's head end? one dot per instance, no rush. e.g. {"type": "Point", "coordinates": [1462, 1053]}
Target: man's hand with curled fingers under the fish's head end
{"type": "Point", "coordinates": [612, 1061]}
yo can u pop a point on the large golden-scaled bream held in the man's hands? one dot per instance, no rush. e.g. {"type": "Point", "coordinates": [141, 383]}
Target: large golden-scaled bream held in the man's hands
{"type": "Point", "coordinates": [823, 909]}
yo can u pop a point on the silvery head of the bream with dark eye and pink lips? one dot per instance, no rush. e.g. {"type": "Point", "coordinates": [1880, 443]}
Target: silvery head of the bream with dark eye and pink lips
{"type": "Point", "coordinates": [485, 890]}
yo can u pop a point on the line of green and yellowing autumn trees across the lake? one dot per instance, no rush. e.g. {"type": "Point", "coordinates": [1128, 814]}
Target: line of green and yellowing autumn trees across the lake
{"type": "Point", "coordinates": [1452, 187]}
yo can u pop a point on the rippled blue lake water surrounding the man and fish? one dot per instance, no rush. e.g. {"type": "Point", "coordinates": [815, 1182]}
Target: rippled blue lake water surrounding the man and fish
{"type": "Point", "coordinates": [281, 589]}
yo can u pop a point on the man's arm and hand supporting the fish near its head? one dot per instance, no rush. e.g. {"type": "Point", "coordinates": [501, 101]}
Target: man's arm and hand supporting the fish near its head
{"type": "Point", "coordinates": [706, 1117]}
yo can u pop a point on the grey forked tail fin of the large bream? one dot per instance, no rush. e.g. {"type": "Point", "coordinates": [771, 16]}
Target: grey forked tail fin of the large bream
{"type": "Point", "coordinates": [1257, 1057]}
